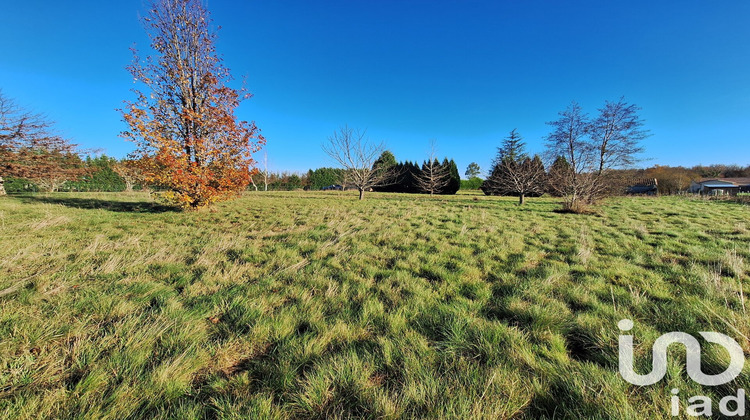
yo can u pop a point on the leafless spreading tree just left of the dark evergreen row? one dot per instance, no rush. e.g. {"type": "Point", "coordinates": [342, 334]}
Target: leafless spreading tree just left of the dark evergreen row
{"type": "Point", "coordinates": [354, 151]}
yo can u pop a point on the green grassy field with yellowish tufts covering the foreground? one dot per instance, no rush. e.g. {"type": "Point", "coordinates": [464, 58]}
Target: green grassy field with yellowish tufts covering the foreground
{"type": "Point", "coordinates": [317, 305]}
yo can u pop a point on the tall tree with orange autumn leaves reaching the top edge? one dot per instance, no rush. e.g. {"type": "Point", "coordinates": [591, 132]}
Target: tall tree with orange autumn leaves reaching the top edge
{"type": "Point", "coordinates": [188, 139]}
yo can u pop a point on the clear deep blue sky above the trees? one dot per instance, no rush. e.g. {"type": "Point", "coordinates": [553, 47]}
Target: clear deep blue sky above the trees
{"type": "Point", "coordinates": [464, 73]}
